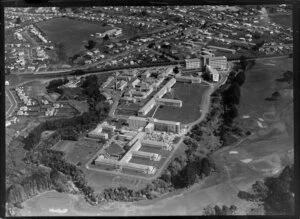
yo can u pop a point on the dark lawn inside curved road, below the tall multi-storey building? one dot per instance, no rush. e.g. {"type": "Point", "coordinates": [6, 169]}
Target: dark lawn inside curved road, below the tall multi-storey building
{"type": "Point", "coordinates": [191, 96]}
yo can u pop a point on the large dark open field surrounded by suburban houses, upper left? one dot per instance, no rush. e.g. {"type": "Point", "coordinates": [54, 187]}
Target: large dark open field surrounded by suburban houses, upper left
{"type": "Point", "coordinates": [73, 34]}
